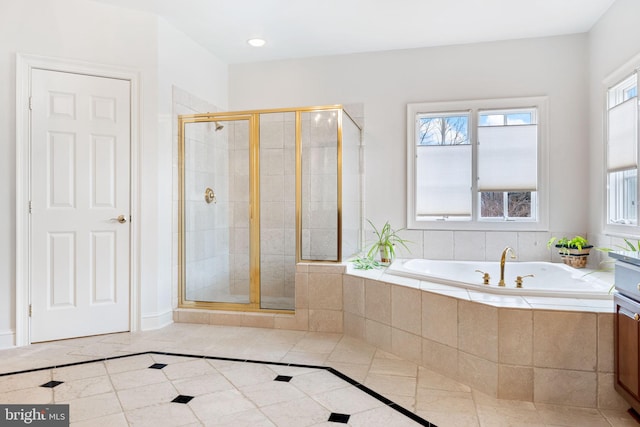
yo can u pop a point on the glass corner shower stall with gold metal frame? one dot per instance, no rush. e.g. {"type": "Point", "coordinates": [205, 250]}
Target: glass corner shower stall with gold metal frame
{"type": "Point", "coordinates": [260, 191]}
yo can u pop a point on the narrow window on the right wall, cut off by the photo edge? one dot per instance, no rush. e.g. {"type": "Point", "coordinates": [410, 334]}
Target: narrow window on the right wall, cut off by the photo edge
{"type": "Point", "coordinates": [622, 152]}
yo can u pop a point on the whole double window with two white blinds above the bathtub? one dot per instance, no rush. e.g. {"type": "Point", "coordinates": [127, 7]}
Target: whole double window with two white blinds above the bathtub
{"type": "Point", "coordinates": [475, 164]}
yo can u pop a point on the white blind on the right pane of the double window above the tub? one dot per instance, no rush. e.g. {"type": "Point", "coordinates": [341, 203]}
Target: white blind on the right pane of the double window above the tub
{"type": "Point", "coordinates": [507, 158]}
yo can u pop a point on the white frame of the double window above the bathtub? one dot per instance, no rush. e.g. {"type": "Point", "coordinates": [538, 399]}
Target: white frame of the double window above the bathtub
{"type": "Point", "coordinates": [540, 223]}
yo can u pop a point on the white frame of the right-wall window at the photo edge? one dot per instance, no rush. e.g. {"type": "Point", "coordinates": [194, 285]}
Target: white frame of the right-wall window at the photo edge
{"type": "Point", "coordinates": [619, 76]}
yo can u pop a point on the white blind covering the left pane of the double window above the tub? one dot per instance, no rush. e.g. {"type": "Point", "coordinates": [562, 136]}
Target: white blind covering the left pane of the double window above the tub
{"type": "Point", "coordinates": [443, 180]}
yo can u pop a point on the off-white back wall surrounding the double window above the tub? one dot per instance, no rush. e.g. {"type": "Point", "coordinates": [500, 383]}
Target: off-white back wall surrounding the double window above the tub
{"type": "Point", "coordinates": [386, 81]}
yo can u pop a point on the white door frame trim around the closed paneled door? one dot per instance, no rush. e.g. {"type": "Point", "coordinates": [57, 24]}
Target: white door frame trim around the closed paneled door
{"type": "Point", "coordinates": [24, 65]}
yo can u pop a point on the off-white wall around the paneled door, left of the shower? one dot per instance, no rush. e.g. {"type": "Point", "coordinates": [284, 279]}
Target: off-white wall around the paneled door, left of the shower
{"type": "Point", "coordinates": [81, 30]}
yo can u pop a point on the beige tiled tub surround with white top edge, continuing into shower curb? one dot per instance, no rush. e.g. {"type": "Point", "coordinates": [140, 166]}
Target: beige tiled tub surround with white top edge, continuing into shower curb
{"type": "Point", "coordinates": [537, 349]}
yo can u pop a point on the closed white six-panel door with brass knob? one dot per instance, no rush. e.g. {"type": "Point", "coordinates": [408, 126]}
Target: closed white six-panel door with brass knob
{"type": "Point", "coordinates": [80, 214]}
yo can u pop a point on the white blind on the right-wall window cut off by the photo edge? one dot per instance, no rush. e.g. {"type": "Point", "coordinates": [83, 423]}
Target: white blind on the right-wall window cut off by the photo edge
{"type": "Point", "coordinates": [623, 136]}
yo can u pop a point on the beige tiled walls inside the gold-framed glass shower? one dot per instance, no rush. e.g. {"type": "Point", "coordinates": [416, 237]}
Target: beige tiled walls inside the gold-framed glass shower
{"type": "Point", "coordinates": [219, 243]}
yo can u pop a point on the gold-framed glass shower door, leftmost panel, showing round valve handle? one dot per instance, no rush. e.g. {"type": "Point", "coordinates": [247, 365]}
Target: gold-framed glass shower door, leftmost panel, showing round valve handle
{"type": "Point", "coordinates": [216, 223]}
